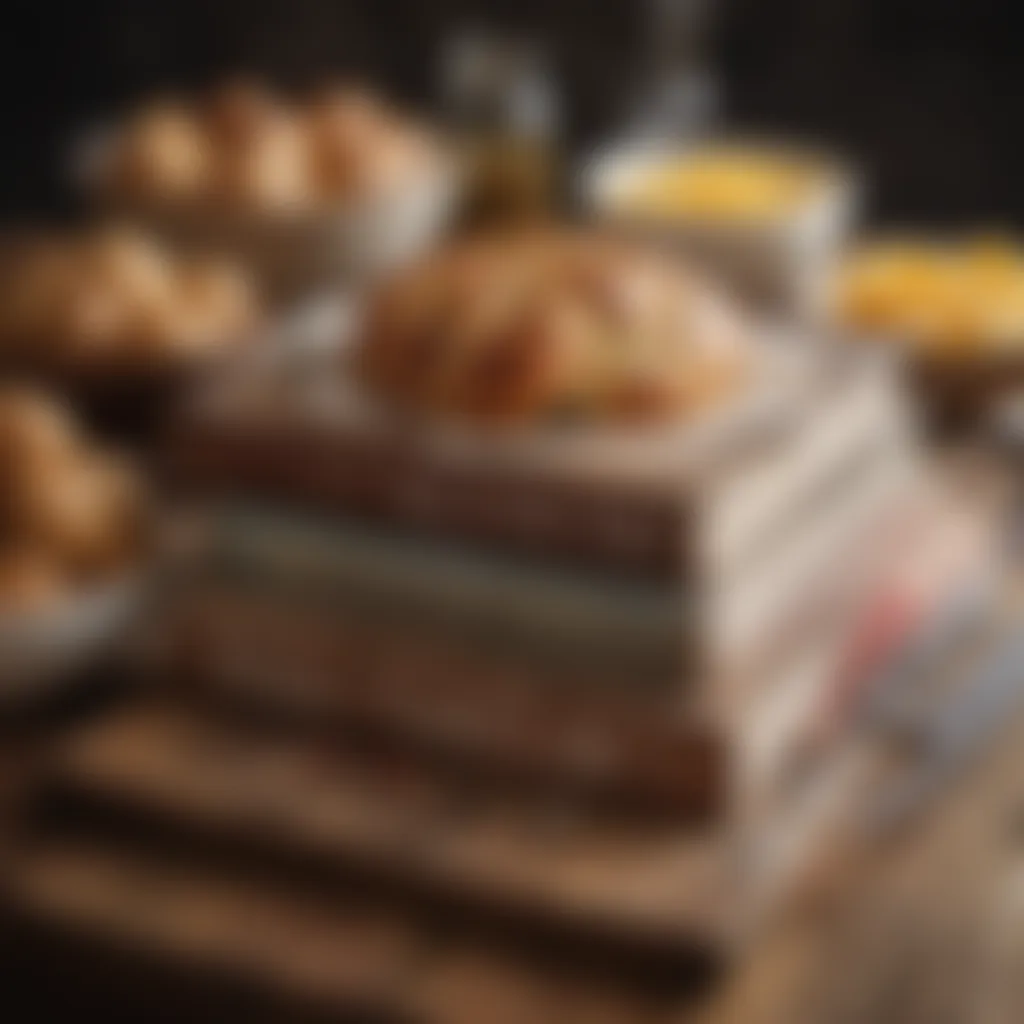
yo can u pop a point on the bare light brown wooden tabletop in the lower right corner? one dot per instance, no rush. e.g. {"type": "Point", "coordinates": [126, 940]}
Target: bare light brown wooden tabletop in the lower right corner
{"type": "Point", "coordinates": [922, 927]}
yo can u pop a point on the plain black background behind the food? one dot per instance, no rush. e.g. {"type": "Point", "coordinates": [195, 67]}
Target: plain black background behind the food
{"type": "Point", "coordinates": [926, 95]}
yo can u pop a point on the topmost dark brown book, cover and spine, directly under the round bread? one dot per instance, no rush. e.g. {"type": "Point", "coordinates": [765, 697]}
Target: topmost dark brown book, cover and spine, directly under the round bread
{"type": "Point", "coordinates": [616, 499]}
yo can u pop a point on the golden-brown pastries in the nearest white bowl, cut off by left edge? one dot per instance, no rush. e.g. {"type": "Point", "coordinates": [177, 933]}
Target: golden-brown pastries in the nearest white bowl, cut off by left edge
{"type": "Point", "coordinates": [71, 514]}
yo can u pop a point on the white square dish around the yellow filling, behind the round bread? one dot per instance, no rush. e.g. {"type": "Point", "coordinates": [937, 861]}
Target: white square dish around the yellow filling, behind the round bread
{"type": "Point", "coordinates": [782, 265]}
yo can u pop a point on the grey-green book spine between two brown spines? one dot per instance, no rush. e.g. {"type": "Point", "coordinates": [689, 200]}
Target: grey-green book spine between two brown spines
{"type": "Point", "coordinates": [630, 631]}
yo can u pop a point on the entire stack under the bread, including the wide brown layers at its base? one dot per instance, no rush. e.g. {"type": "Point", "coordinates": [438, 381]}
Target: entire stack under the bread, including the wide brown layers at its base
{"type": "Point", "coordinates": [567, 717]}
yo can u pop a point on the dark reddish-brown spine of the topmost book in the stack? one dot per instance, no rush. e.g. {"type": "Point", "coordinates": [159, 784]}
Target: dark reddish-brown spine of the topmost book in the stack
{"type": "Point", "coordinates": [608, 528]}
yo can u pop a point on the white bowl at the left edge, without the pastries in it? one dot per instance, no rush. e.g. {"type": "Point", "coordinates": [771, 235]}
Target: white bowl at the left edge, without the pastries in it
{"type": "Point", "coordinates": [45, 650]}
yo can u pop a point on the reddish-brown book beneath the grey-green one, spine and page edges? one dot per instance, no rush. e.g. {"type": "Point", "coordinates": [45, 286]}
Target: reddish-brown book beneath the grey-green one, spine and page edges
{"type": "Point", "coordinates": [656, 746]}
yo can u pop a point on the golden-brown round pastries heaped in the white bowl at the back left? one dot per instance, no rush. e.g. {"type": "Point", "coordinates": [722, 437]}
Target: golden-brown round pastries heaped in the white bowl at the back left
{"type": "Point", "coordinates": [245, 149]}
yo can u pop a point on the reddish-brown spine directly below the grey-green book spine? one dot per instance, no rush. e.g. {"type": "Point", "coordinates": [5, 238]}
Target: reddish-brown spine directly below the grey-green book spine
{"type": "Point", "coordinates": [252, 654]}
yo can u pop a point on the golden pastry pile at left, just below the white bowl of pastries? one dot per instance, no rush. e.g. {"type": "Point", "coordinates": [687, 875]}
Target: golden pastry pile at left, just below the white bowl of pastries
{"type": "Point", "coordinates": [114, 301]}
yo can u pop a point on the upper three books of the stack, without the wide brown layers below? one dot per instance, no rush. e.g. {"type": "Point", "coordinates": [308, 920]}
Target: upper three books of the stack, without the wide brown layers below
{"type": "Point", "coordinates": [655, 621]}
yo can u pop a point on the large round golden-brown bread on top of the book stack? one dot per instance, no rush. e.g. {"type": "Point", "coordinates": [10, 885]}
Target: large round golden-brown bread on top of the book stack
{"type": "Point", "coordinates": [551, 327]}
